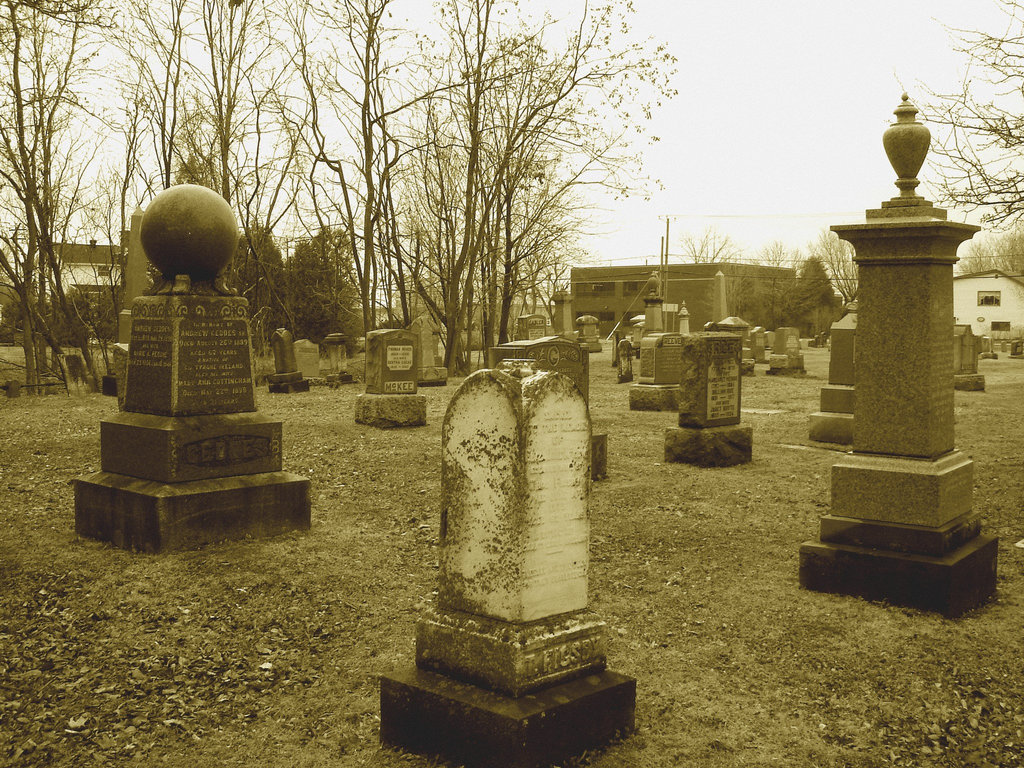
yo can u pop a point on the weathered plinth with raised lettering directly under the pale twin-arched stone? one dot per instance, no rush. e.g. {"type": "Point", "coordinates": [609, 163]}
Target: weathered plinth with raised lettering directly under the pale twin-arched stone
{"type": "Point", "coordinates": [513, 659]}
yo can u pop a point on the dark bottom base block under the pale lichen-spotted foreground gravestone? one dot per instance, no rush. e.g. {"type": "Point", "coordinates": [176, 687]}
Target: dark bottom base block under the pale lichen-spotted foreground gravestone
{"type": "Point", "coordinates": [428, 713]}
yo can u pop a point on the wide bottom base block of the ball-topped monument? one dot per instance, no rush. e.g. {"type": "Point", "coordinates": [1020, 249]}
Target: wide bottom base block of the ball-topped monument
{"type": "Point", "coordinates": [150, 517]}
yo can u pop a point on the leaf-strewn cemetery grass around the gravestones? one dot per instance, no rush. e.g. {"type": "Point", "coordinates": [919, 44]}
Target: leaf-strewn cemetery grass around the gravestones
{"type": "Point", "coordinates": [268, 653]}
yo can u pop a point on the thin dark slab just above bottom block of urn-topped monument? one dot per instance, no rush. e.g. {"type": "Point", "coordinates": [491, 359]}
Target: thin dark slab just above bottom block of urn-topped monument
{"type": "Point", "coordinates": [922, 540]}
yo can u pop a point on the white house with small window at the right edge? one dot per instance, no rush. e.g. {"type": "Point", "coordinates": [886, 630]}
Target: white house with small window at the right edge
{"type": "Point", "coordinates": [993, 303]}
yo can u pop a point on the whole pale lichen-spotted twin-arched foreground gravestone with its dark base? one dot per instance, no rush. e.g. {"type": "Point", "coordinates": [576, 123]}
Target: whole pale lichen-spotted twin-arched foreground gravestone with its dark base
{"type": "Point", "coordinates": [510, 662]}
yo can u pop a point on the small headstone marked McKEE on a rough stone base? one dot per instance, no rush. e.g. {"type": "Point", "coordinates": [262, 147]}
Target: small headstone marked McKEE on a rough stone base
{"type": "Point", "coordinates": [393, 367]}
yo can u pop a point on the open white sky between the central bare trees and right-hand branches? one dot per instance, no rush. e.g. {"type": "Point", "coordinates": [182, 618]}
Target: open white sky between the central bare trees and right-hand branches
{"type": "Point", "coordinates": [777, 132]}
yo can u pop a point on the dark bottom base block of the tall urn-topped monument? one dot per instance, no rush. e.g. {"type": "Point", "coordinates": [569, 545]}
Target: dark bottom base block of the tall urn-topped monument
{"type": "Point", "coordinates": [952, 584]}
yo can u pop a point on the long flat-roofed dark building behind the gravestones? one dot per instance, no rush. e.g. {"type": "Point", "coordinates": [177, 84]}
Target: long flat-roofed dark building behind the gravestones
{"type": "Point", "coordinates": [615, 294]}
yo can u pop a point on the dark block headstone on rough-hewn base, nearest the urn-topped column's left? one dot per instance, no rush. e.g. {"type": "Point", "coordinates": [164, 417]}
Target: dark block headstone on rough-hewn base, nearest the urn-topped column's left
{"type": "Point", "coordinates": [710, 434]}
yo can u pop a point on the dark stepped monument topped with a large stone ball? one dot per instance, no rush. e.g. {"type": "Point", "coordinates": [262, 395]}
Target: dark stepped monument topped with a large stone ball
{"type": "Point", "coordinates": [190, 461]}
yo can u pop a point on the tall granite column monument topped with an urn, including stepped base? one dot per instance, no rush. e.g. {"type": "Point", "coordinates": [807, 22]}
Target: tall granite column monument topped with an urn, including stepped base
{"type": "Point", "coordinates": [903, 528]}
